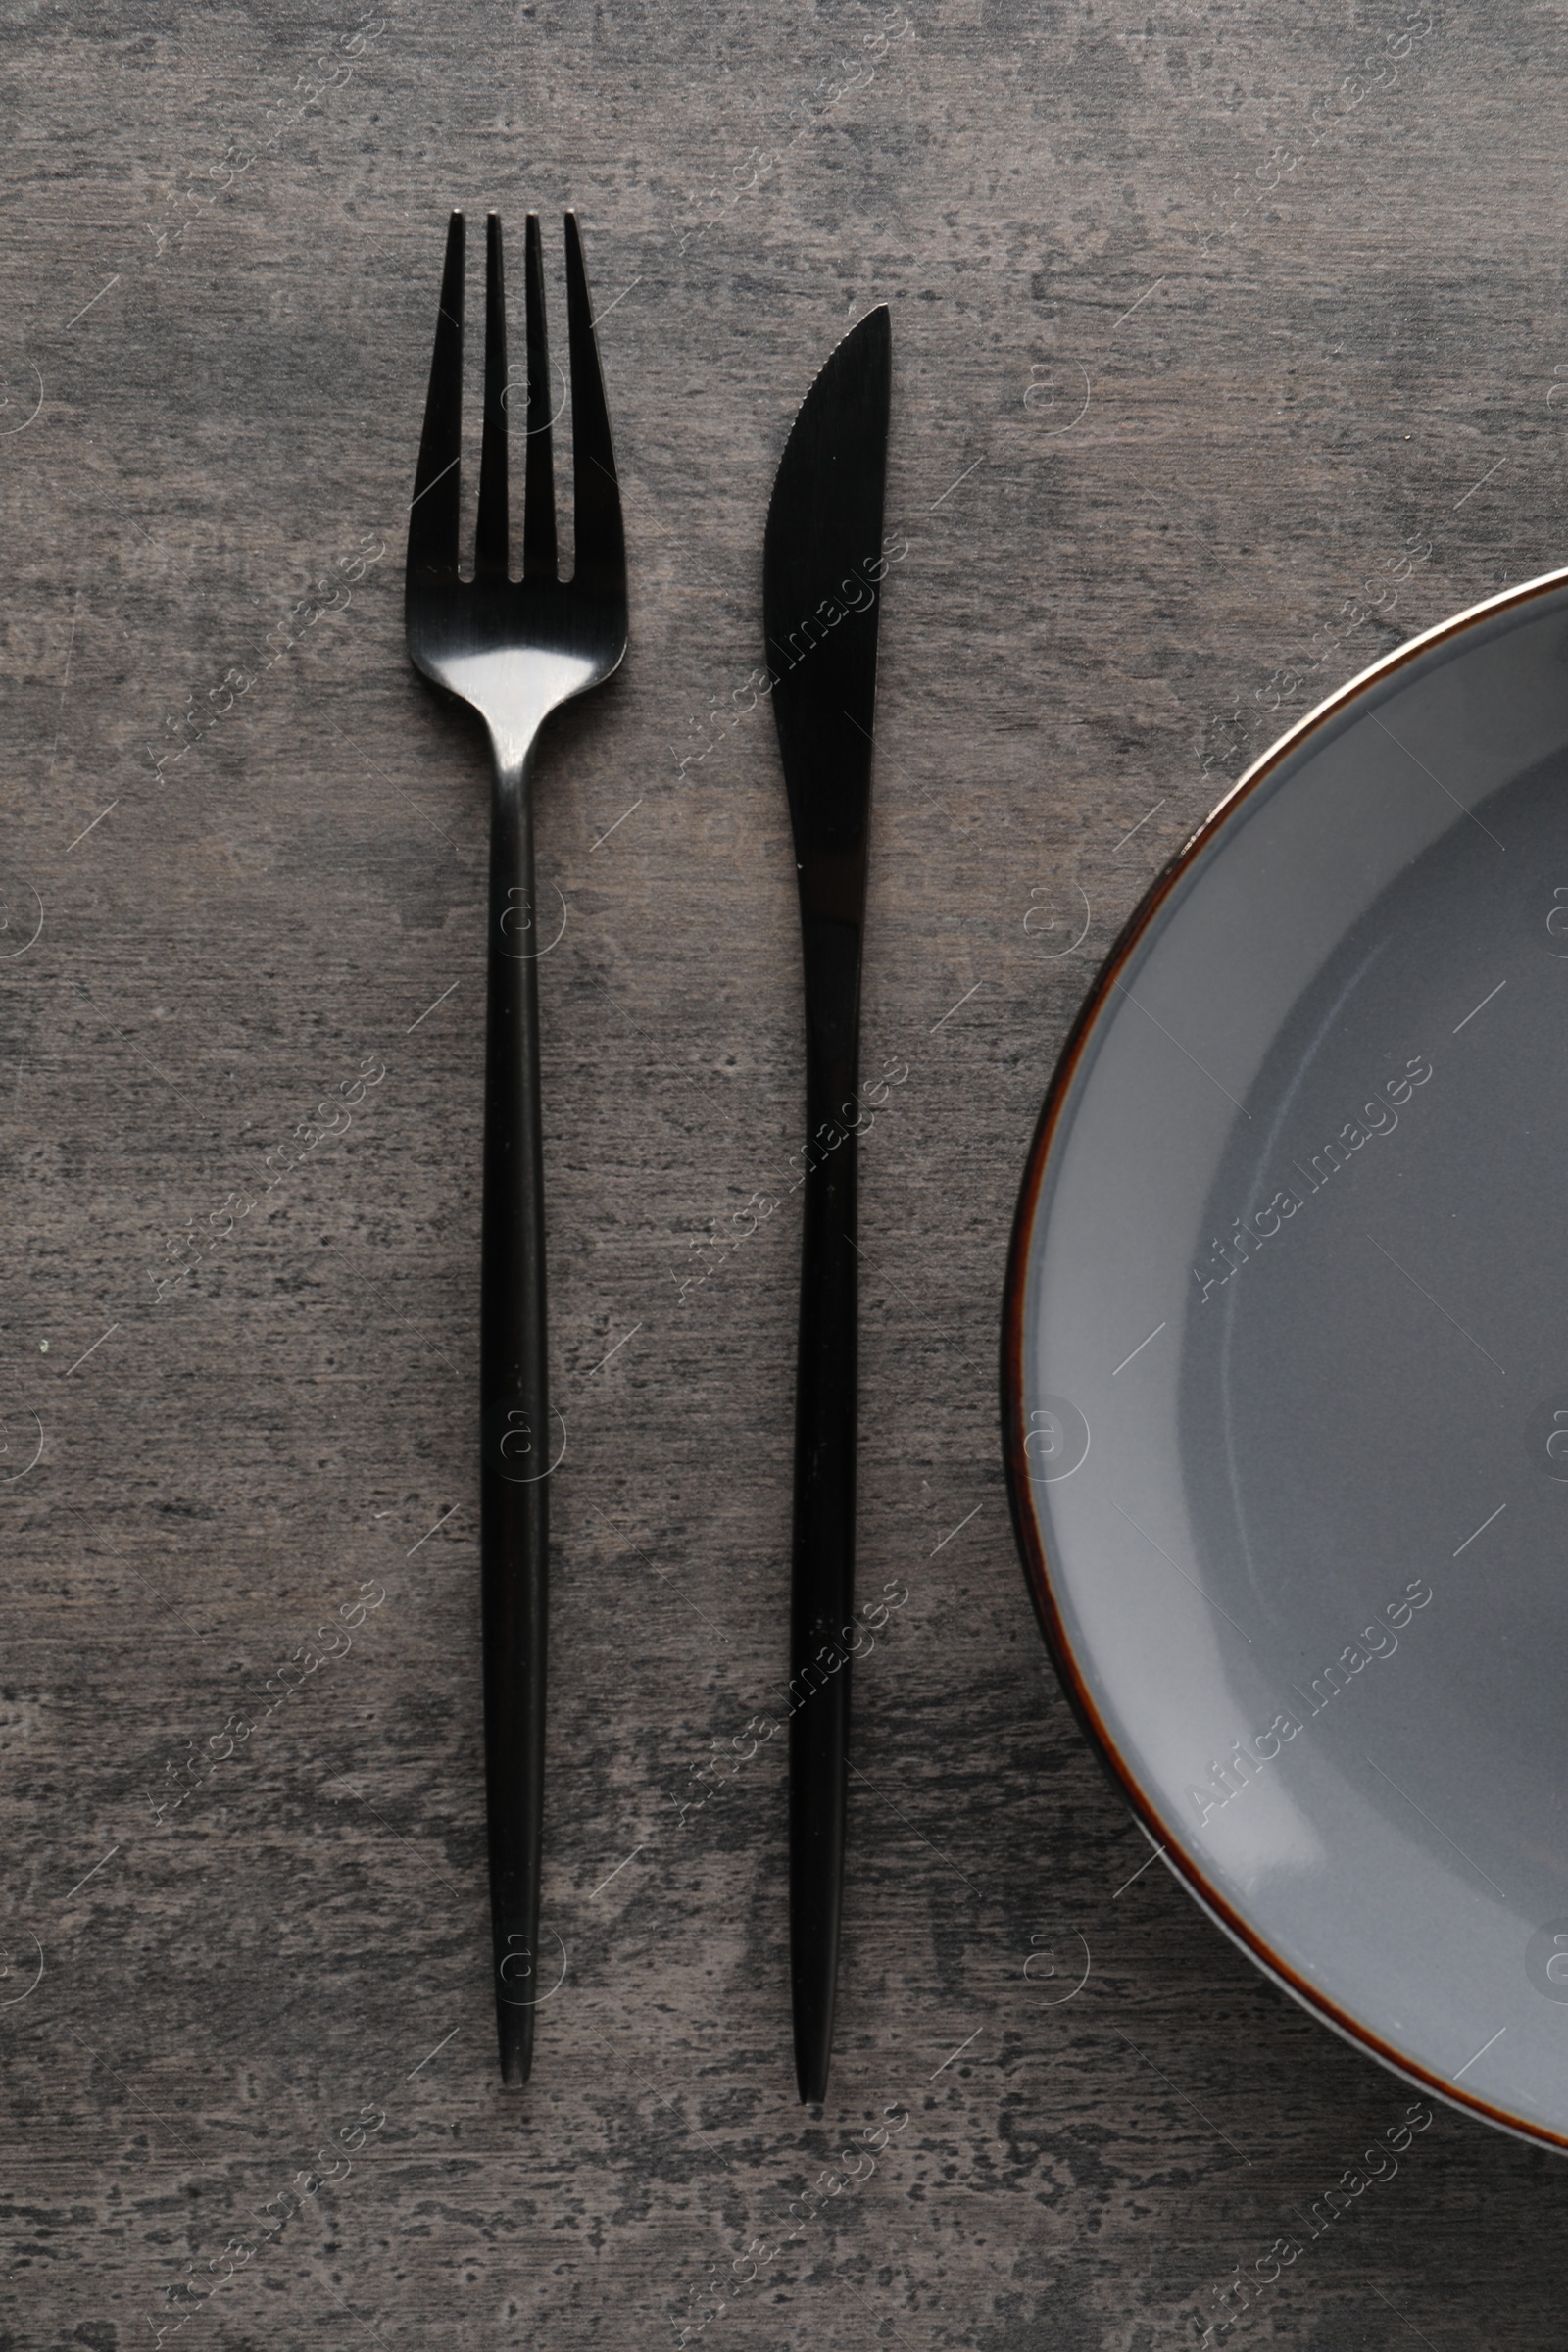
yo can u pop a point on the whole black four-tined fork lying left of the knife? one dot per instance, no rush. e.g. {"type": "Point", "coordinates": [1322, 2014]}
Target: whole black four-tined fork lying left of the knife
{"type": "Point", "coordinates": [514, 650]}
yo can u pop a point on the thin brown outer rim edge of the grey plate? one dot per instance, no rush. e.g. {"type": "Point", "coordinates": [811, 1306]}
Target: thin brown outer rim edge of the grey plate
{"type": "Point", "coordinates": [1019, 1485]}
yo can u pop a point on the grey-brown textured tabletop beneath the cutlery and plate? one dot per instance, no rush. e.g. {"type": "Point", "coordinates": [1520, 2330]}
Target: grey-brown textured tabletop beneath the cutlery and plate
{"type": "Point", "coordinates": [1226, 356]}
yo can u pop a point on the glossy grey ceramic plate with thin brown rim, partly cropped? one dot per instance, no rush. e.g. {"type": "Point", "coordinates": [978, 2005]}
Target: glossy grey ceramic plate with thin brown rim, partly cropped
{"type": "Point", "coordinates": [1287, 1363]}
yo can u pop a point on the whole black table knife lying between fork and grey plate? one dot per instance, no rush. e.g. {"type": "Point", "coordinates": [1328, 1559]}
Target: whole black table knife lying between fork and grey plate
{"type": "Point", "coordinates": [822, 596]}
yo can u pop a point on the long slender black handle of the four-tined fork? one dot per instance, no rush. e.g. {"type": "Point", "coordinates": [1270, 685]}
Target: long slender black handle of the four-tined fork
{"type": "Point", "coordinates": [516, 1429]}
